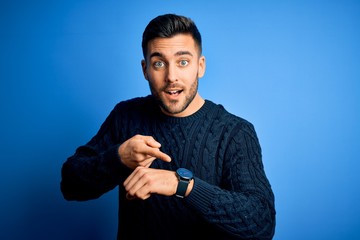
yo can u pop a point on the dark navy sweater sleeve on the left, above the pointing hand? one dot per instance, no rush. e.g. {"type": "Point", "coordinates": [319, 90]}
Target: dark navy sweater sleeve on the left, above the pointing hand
{"type": "Point", "coordinates": [95, 168]}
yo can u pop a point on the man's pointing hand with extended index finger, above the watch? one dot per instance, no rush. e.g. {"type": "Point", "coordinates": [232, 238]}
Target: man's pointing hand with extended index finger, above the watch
{"type": "Point", "coordinates": [141, 151]}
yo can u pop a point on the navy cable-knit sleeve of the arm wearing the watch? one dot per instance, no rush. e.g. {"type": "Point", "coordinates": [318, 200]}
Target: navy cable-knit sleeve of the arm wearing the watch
{"type": "Point", "coordinates": [243, 206]}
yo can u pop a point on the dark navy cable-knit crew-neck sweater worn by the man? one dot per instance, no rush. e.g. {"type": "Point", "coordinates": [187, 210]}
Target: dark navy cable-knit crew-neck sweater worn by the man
{"type": "Point", "coordinates": [231, 197]}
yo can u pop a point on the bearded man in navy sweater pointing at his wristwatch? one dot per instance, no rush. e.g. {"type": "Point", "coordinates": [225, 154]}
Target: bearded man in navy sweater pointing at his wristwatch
{"type": "Point", "coordinates": [185, 166]}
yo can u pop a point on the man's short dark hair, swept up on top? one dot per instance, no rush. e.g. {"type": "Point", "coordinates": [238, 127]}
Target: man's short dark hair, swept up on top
{"type": "Point", "coordinates": [169, 25]}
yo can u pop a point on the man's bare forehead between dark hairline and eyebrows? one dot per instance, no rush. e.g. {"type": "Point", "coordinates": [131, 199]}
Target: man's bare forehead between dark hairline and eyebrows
{"type": "Point", "coordinates": [171, 46]}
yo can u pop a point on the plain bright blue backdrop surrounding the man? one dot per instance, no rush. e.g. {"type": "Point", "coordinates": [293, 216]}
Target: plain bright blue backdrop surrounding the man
{"type": "Point", "coordinates": [292, 68]}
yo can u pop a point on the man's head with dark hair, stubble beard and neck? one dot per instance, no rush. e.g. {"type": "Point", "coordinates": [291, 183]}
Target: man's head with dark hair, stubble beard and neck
{"type": "Point", "coordinates": [173, 63]}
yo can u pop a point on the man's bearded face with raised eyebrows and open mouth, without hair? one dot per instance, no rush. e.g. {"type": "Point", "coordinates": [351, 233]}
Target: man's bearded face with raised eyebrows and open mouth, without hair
{"type": "Point", "coordinates": [173, 67]}
